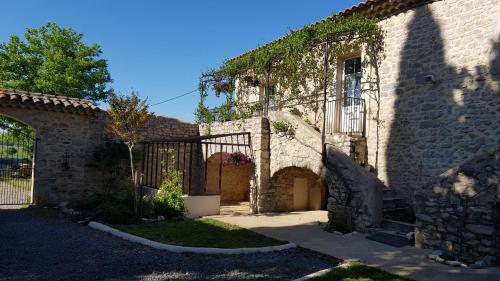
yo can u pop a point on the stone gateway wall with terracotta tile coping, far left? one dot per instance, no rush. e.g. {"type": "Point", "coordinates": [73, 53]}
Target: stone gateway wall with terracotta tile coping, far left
{"type": "Point", "coordinates": [68, 130]}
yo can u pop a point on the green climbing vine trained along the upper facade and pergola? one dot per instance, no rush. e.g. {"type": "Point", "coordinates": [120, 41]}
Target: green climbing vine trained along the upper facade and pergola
{"type": "Point", "coordinates": [294, 62]}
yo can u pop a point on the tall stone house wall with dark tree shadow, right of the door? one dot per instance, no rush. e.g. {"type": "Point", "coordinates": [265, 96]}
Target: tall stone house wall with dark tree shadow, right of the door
{"type": "Point", "coordinates": [429, 125]}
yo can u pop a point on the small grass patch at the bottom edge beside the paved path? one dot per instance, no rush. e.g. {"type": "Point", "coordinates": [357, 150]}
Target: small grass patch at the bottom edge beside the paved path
{"type": "Point", "coordinates": [358, 272]}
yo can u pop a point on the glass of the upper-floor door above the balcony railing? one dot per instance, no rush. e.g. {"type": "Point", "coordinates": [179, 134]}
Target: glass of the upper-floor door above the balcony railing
{"type": "Point", "coordinates": [352, 79]}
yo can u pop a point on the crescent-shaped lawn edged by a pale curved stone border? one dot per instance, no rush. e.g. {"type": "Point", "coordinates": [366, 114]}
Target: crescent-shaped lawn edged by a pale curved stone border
{"type": "Point", "coordinates": [203, 232]}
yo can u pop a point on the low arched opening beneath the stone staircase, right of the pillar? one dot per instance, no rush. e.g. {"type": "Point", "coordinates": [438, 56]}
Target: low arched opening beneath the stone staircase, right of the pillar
{"type": "Point", "coordinates": [298, 189]}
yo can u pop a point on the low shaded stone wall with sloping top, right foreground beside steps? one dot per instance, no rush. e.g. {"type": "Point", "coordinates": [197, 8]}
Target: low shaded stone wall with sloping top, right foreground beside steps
{"type": "Point", "coordinates": [459, 211]}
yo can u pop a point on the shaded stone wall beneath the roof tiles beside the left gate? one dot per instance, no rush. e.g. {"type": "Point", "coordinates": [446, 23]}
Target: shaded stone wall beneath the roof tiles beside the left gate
{"type": "Point", "coordinates": [66, 142]}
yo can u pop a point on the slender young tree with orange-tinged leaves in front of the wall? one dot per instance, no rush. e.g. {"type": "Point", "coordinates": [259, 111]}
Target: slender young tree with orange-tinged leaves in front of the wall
{"type": "Point", "coordinates": [128, 116]}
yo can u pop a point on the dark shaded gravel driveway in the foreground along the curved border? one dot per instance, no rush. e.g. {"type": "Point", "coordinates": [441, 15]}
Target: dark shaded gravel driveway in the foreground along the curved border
{"type": "Point", "coordinates": [35, 244]}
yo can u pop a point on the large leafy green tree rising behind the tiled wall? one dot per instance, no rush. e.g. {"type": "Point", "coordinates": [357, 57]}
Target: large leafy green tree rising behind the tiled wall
{"type": "Point", "coordinates": [54, 60]}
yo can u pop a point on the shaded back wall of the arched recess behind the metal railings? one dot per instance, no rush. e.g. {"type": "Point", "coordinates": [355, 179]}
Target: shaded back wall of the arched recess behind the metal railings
{"type": "Point", "coordinates": [235, 180]}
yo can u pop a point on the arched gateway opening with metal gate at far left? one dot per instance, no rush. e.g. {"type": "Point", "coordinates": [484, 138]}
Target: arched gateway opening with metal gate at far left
{"type": "Point", "coordinates": [17, 153]}
